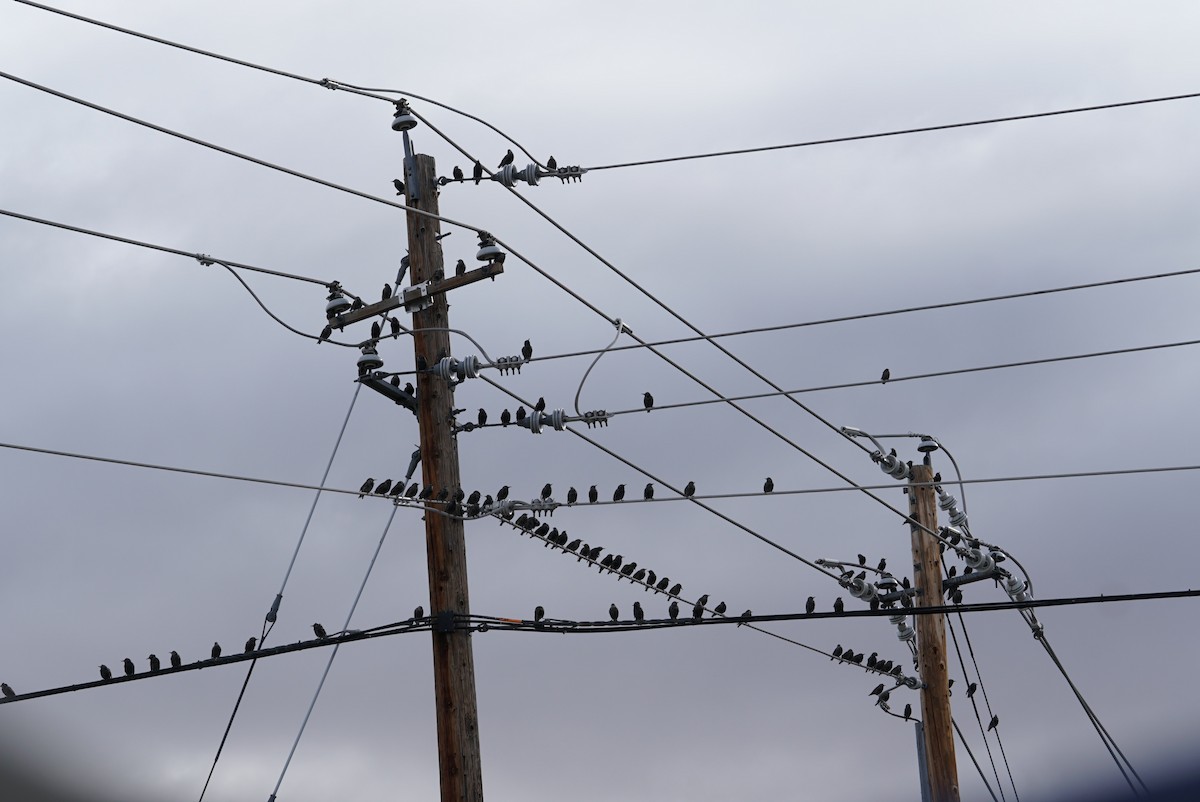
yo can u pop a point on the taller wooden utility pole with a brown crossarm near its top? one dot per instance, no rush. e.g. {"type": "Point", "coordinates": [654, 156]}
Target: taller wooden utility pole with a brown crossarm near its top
{"type": "Point", "coordinates": [454, 666]}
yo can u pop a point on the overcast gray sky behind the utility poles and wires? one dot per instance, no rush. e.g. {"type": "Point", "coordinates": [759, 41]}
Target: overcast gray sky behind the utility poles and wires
{"type": "Point", "coordinates": [122, 352]}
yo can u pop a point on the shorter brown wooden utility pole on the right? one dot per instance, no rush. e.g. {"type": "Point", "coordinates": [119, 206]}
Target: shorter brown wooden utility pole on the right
{"type": "Point", "coordinates": [935, 698]}
